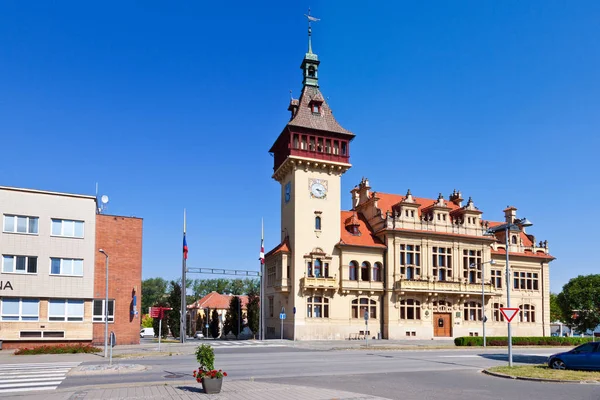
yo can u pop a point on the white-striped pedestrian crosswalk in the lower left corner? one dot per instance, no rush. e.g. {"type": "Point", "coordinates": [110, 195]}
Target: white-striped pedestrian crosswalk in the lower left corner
{"type": "Point", "coordinates": [40, 376]}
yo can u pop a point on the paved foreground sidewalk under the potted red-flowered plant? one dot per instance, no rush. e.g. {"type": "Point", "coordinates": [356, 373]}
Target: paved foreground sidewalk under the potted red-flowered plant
{"type": "Point", "coordinates": [232, 390]}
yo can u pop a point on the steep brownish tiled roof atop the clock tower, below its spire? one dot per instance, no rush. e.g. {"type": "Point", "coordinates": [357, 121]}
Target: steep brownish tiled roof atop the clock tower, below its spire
{"type": "Point", "coordinates": [323, 120]}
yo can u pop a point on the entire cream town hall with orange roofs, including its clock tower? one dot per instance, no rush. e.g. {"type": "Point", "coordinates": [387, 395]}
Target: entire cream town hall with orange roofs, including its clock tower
{"type": "Point", "coordinates": [406, 266]}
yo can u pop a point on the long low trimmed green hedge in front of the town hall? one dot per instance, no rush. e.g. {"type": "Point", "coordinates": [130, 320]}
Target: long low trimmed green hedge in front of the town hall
{"type": "Point", "coordinates": [521, 341]}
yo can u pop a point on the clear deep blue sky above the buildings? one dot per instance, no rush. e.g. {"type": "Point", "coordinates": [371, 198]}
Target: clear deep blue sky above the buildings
{"type": "Point", "coordinates": [175, 104]}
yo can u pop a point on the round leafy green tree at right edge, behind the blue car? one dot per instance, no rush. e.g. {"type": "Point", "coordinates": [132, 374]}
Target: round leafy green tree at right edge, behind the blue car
{"type": "Point", "coordinates": [579, 302]}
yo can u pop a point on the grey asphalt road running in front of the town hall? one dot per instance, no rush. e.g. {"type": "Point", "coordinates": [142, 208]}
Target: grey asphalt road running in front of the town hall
{"type": "Point", "coordinates": [422, 375]}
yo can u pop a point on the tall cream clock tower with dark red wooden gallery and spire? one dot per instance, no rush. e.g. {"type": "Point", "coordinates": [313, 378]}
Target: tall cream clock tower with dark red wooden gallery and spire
{"type": "Point", "coordinates": [310, 156]}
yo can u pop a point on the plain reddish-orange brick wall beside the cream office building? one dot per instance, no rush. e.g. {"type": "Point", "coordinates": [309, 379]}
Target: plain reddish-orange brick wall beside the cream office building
{"type": "Point", "coordinates": [121, 239]}
